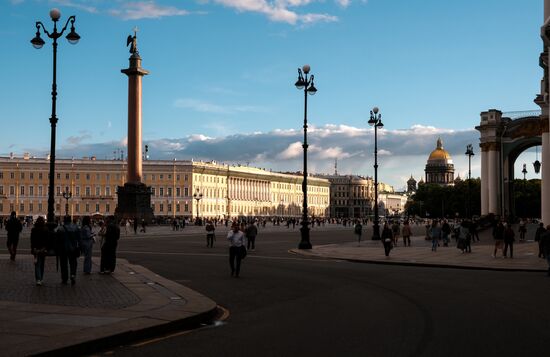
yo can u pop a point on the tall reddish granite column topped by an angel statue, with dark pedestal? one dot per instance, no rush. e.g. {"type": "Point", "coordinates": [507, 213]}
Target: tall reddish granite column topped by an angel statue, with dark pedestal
{"type": "Point", "coordinates": [134, 198]}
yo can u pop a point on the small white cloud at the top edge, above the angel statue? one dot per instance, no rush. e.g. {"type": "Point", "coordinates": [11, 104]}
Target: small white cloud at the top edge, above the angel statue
{"type": "Point", "coordinates": [146, 10]}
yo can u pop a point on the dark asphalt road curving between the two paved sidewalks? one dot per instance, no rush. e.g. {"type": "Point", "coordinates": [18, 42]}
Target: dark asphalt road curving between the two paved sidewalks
{"type": "Point", "coordinates": [285, 305]}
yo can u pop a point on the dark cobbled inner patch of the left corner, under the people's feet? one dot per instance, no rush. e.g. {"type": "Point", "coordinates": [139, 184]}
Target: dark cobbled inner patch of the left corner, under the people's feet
{"type": "Point", "coordinates": [94, 291]}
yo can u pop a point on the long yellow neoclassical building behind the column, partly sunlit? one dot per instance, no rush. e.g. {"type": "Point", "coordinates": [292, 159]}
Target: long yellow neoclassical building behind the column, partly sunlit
{"type": "Point", "coordinates": [179, 188]}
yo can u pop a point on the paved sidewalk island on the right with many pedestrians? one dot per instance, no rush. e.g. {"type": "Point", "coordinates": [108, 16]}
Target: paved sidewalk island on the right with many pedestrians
{"type": "Point", "coordinates": [420, 254]}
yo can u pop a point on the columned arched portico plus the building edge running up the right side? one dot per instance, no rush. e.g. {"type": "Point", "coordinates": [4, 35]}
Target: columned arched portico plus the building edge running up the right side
{"type": "Point", "coordinates": [496, 131]}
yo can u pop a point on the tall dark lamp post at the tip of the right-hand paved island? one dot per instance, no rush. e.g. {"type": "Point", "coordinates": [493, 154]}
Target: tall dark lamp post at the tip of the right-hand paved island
{"type": "Point", "coordinates": [306, 84]}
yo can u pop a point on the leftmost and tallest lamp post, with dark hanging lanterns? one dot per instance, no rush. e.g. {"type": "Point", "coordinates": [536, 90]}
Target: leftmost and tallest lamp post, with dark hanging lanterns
{"type": "Point", "coordinates": [38, 42]}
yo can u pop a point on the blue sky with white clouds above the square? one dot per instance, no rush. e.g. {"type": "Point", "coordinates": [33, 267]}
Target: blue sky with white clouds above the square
{"type": "Point", "coordinates": [222, 73]}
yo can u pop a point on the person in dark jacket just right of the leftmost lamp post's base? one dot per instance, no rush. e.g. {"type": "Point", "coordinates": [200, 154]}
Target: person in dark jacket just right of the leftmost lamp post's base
{"type": "Point", "coordinates": [68, 249]}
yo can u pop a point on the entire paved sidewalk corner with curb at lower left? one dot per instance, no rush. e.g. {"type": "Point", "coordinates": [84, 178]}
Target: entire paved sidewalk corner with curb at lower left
{"type": "Point", "coordinates": [100, 311]}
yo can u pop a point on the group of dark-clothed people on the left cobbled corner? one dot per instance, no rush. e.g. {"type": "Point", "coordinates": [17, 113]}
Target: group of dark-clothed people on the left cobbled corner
{"type": "Point", "coordinates": [67, 242]}
